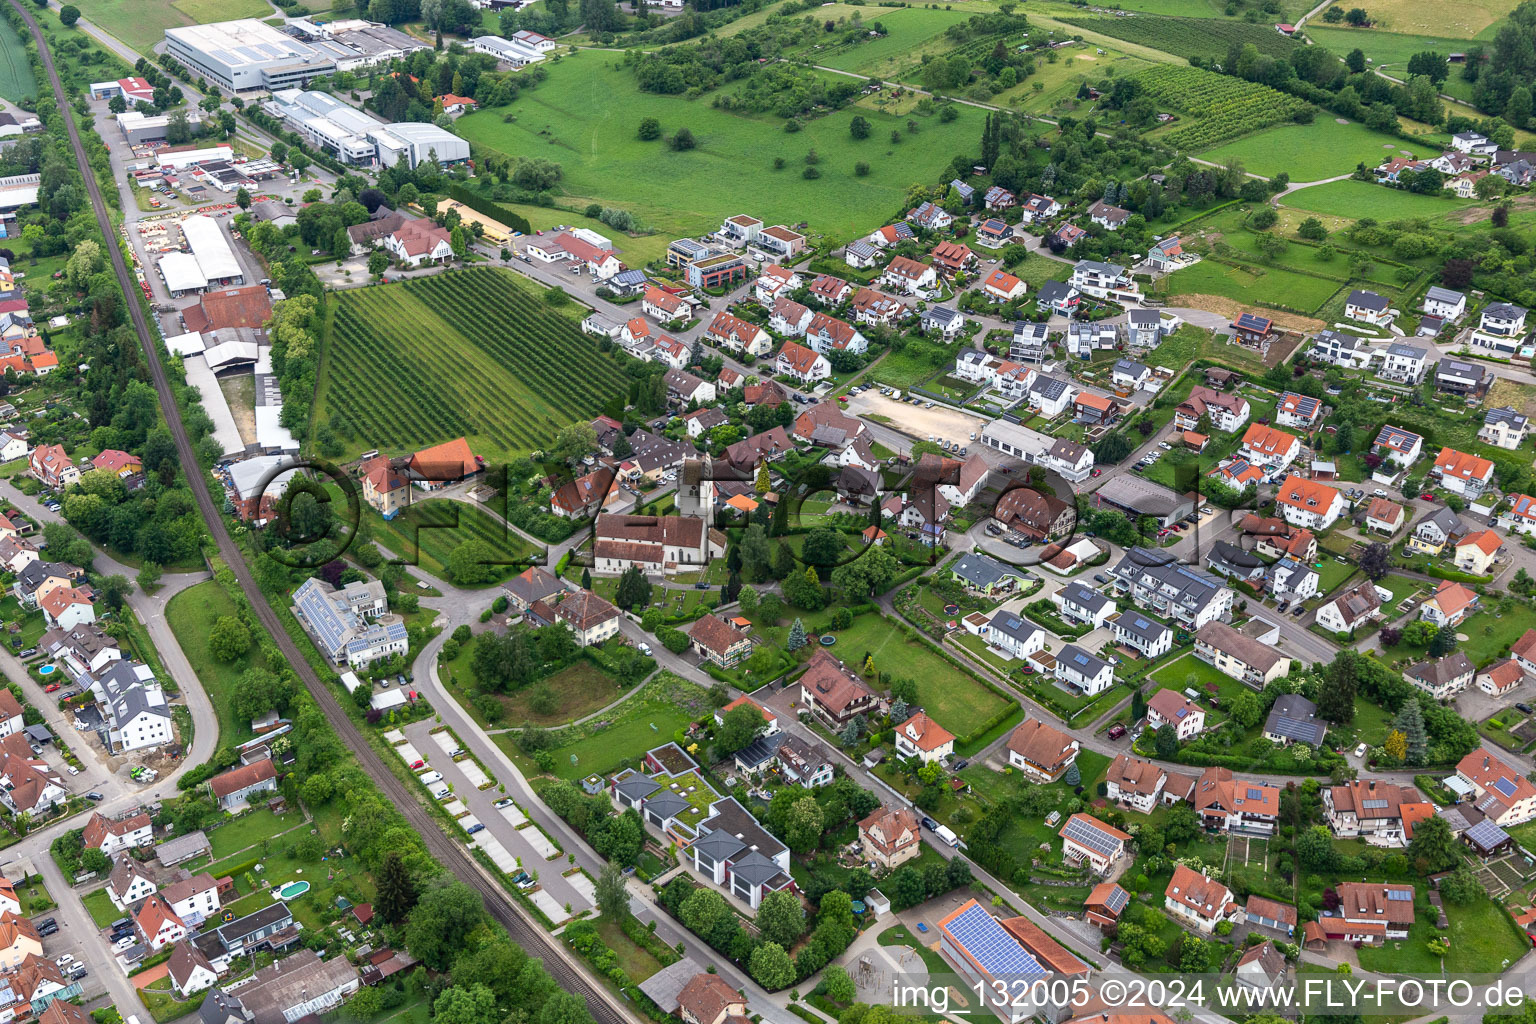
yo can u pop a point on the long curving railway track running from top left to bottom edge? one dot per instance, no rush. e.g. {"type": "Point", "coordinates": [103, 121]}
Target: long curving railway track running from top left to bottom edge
{"type": "Point", "coordinates": [606, 1009]}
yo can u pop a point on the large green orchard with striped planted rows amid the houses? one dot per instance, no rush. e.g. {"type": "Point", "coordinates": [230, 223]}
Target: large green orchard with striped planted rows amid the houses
{"type": "Point", "coordinates": [474, 352]}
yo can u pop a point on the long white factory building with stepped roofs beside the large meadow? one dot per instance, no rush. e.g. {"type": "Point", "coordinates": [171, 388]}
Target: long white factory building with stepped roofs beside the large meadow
{"type": "Point", "coordinates": [362, 139]}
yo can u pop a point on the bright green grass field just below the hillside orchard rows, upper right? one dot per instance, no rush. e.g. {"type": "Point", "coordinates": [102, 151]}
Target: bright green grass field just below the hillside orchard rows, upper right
{"type": "Point", "coordinates": [1309, 153]}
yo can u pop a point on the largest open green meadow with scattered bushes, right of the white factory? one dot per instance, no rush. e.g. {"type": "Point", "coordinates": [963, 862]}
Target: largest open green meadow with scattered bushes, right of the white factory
{"type": "Point", "coordinates": [584, 117]}
